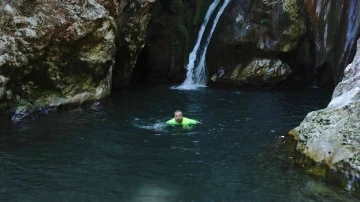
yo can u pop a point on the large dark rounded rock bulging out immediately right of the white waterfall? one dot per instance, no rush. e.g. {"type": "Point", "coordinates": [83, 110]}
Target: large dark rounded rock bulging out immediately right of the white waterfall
{"type": "Point", "coordinates": [256, 29]}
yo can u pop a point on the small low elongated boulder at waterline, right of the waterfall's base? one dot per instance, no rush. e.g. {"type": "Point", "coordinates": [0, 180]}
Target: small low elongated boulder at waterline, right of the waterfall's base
{"type": "Point", "coordinates": [257, 72]}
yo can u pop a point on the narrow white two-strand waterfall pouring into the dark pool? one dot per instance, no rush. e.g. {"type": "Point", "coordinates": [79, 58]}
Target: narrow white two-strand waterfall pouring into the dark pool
{"type": "Point", "coordinates": [196, 74]}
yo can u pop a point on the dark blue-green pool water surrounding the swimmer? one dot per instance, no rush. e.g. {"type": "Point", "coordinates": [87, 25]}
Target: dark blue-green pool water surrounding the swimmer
{"type": "Point", "coordinates": [117, 150]}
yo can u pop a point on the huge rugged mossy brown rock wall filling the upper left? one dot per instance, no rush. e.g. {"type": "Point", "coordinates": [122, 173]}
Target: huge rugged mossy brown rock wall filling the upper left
{"type": "Point", "coordinates": [49, 59]}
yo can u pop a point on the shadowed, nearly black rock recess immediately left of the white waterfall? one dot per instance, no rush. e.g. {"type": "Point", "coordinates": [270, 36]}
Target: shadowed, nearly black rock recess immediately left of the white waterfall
{"type": "Point", "coordinates": [172, 31]}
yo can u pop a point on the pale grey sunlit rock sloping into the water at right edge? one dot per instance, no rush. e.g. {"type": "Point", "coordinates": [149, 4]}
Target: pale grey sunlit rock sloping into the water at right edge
{"type": "Point", "coordinates": [331, 137]}
